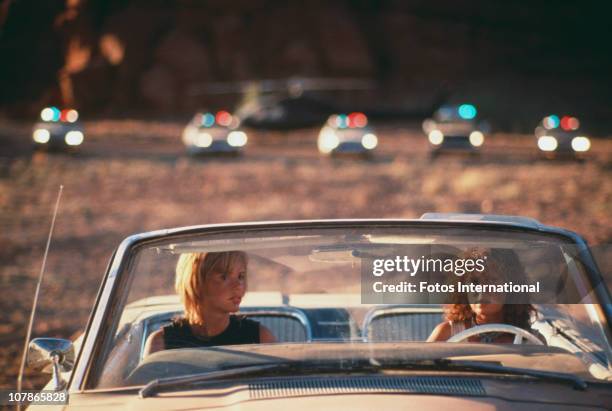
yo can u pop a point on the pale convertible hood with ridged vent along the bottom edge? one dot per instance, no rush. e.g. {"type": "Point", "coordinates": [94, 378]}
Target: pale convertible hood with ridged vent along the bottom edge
{"type": "Point", "coordinates": [326, 393]}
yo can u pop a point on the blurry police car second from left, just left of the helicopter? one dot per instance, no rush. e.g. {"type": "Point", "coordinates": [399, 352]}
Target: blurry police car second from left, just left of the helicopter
{"type": "Point", "coordinates": [210, 133]}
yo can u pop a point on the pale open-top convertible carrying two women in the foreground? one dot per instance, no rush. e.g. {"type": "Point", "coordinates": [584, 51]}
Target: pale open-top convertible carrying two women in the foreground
{"type": "Point", "coordinates": [349, 332]}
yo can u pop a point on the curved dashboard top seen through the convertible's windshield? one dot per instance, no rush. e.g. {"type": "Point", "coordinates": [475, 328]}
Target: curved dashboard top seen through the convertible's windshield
{"type": "Point", "coordinates": [200, 360]}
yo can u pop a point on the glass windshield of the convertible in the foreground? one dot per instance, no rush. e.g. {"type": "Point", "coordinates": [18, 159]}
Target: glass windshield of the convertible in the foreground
{"type": "Point", "coordinates": [352, 293]}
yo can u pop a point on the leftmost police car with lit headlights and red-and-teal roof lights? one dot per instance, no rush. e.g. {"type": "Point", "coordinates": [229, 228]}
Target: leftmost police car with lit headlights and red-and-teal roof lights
{"type": "Point", "coordinates": [58, 130]}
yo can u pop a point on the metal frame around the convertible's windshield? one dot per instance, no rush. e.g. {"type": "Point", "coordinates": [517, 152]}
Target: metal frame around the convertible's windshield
{"type": "Point", "coordinates": [106, 314]}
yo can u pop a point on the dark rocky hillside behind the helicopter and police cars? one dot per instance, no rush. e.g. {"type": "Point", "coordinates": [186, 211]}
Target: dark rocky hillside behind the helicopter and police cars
{"type": "Point", "coordinates": [157, 56]}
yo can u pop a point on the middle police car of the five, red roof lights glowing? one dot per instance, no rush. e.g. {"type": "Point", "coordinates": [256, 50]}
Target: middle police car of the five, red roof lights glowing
{"type": "Point", "coordinates": [347, 134]}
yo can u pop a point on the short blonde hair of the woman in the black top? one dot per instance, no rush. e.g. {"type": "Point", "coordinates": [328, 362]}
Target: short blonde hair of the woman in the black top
{"type": "Point", "coordinates": [191, 272]}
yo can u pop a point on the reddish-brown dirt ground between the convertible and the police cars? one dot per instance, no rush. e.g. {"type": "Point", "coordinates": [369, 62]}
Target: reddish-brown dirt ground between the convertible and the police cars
{"type": "Point", "coordinates": [133, 176]}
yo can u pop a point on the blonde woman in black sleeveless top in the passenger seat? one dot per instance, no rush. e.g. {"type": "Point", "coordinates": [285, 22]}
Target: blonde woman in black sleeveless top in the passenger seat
{"type": "Point", "coordinates": [211, 287]}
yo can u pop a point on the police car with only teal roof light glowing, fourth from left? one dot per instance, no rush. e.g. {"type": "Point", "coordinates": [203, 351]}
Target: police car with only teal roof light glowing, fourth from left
{"type": "Point", "coordinates": [455, 128]}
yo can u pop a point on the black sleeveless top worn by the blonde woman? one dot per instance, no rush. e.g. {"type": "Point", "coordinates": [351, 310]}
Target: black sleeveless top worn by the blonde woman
{"type": "Point", "coordinates": [239, 331]}
